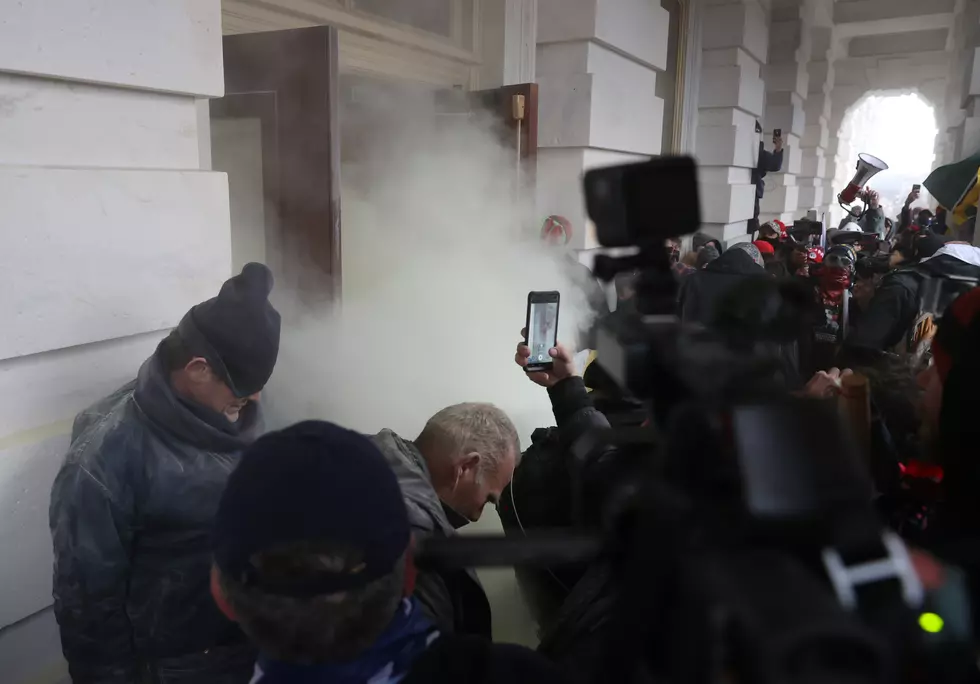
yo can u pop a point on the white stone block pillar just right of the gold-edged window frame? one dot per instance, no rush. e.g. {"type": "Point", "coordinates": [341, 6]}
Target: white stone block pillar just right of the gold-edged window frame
{"type": "Point", "coordinates": [735, 43]}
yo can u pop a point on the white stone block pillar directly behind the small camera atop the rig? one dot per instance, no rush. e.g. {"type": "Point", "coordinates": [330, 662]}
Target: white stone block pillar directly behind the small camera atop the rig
{"type": "Point", "coordinates": [597, 64]}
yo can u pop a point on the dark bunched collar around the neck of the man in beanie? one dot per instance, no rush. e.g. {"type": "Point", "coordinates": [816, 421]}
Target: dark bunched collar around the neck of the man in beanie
{"type": "Point", "coordinates": [191, 423]}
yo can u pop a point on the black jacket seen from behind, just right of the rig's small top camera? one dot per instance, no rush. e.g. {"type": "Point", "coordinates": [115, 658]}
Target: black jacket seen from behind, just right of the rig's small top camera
{"type": "Point", "coordinates": [702, 292]}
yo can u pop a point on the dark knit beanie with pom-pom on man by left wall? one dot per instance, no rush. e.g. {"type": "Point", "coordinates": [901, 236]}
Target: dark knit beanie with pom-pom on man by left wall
{"type": "Point", "coordinates": [237, 331]}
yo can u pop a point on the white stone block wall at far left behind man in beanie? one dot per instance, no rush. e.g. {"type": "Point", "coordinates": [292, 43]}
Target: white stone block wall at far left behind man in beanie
{"type": "Point", "coordinates": [109, 232]}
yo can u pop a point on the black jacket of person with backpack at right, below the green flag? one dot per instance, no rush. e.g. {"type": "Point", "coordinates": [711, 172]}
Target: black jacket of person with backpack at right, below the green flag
{"type": "Point", "coordinates": [896, 304]}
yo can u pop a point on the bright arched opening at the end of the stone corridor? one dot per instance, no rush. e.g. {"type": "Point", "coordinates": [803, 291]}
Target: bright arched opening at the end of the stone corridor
{"type": "Point", "coordinates": [899, 129]}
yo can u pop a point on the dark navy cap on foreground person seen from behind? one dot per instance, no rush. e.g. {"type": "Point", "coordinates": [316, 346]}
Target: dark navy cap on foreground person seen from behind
{"type": "Point", "coordinates": [312, 482]}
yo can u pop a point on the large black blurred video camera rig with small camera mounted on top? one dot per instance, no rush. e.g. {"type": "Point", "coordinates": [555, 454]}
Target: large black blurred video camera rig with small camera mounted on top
{"type": "Point", "coordinates": [743, 543]}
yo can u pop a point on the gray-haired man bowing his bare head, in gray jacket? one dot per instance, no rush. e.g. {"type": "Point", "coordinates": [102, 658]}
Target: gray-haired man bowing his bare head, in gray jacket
{"type": "Point", "coordinates": [463, 459]}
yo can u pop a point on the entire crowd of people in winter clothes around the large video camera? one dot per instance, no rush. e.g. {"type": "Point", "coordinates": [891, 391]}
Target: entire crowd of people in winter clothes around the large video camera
{"type": "Point", "coordinates": [191, 547]}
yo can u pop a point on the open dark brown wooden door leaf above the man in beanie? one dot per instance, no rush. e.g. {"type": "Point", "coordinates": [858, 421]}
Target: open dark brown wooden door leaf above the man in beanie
{"type": "Point", "coordinates": [286, 82]}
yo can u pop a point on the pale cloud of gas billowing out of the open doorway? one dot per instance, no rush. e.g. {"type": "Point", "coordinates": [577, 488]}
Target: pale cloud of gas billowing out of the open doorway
{"type": "Point", "coordinates": [438, 259]}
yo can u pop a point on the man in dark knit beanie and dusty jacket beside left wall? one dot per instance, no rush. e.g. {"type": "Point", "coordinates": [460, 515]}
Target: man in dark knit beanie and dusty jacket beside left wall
{"type": "Point", "coordinates": [133, 504]}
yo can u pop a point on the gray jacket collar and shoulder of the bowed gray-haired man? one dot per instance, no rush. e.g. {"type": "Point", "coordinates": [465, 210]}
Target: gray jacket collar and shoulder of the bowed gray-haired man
{"type": "Point", "coordinates": [425, 510]}
